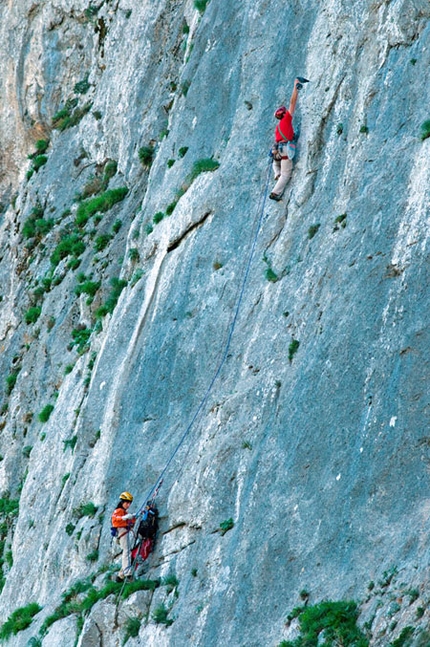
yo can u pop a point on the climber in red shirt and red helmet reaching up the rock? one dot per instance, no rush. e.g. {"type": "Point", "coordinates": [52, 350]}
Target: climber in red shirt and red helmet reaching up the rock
{"type": "Point", "coordinates": [284, 133]}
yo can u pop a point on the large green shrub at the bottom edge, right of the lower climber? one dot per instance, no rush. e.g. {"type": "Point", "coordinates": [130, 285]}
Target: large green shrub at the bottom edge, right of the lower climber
{"type": "Point", "coordinates": [338, 621]}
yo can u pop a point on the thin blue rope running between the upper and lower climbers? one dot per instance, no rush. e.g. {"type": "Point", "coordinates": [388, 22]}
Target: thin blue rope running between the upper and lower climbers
{"type": "Point", "coordinates": [154, 490]}
